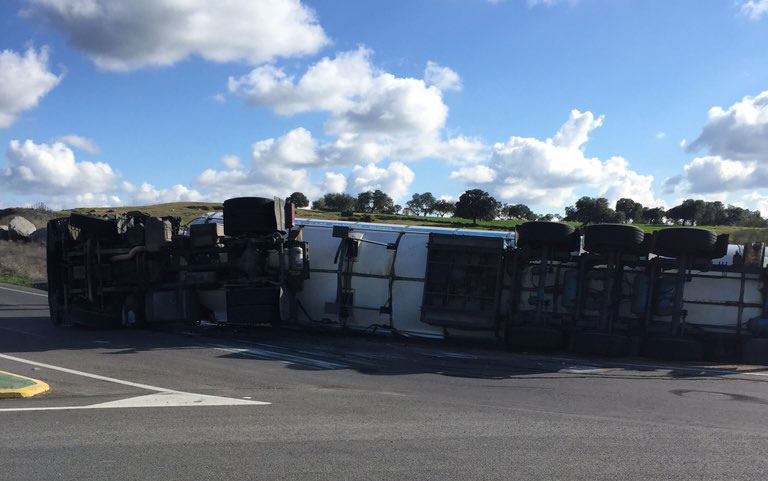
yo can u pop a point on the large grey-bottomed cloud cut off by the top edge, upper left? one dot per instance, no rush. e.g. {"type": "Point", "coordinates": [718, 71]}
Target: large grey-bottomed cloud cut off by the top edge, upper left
{"type": "Point", "coordinates": [125, 36]}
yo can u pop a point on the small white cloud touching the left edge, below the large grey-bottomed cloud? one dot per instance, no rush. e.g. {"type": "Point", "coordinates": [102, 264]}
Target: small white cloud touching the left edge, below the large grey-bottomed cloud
{"type": "Point", "coordinates": [25, 79]}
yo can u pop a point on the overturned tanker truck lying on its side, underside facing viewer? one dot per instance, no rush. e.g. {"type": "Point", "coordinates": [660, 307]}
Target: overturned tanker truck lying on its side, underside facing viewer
{"type": "Point", "coordinates": [679, 293]}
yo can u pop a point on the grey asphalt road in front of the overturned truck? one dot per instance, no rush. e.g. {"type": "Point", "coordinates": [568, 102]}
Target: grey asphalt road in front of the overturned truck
{"type": "Point", "coordinates": [343, 408]}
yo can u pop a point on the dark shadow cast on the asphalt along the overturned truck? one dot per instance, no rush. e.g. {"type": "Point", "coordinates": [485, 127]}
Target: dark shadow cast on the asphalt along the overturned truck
{"type": "Point", "coordinates": [305, 350]}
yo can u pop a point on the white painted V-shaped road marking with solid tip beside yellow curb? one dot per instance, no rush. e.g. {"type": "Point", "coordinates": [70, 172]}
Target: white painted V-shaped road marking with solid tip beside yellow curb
{"type": "Point", "coordinates": [163, 398]}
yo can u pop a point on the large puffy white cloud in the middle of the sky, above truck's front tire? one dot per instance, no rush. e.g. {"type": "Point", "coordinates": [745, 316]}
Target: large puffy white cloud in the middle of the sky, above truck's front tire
{"type": "Point", "coordinates": [373, 114]}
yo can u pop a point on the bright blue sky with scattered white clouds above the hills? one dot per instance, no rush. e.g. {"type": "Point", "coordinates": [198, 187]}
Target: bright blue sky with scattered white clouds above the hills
{"type": "Point", "coordinates": [114, 103]}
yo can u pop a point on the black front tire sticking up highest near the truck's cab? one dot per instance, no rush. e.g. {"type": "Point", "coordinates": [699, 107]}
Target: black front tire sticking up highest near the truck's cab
{"type": "Point", "coordinates": [249, 215]}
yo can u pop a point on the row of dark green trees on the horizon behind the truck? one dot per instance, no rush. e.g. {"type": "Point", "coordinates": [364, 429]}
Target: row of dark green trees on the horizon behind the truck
{"type": "Point", "coordinates": [477, 204]}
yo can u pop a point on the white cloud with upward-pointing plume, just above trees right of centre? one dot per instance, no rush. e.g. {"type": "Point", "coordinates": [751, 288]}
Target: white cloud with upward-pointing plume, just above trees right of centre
{"type": "Point", "coordinates": [547, 172]}
